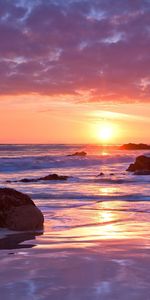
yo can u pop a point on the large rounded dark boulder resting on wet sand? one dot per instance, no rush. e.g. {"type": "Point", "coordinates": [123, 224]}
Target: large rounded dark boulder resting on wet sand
{"type": "Point", "coordinates": [18, 211]}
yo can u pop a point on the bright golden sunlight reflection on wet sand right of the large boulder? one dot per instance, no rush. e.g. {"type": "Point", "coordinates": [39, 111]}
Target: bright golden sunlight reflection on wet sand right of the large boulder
{"type": "Point", "coordinates": [89, 226]}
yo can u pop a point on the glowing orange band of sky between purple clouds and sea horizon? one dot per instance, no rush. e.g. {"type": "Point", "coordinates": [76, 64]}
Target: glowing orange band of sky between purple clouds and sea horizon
{"type": "Point", "coordinates": [41, 119]}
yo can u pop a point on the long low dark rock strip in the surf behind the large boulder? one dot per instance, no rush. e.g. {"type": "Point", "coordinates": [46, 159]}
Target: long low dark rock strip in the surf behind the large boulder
{"type": "Point", "coordinates": [45, 178]}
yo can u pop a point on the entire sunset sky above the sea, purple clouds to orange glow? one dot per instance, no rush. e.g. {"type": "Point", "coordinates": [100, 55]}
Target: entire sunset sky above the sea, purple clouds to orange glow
{"type": "Point", "coordinates": [70, 67]}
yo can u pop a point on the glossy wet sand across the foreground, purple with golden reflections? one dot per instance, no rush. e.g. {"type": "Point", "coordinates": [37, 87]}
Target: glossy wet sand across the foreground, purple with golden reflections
{"type": "Point", "coordinates": [88, 253]}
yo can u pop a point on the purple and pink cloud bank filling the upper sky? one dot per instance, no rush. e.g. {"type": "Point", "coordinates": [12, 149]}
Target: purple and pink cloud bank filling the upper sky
{"type": "Point", "coordinates": [72, 47]}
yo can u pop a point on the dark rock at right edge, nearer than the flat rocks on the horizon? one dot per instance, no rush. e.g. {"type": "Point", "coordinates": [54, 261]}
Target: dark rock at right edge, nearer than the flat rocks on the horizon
{"type": "Point", "coordinates": [141, 165]}
